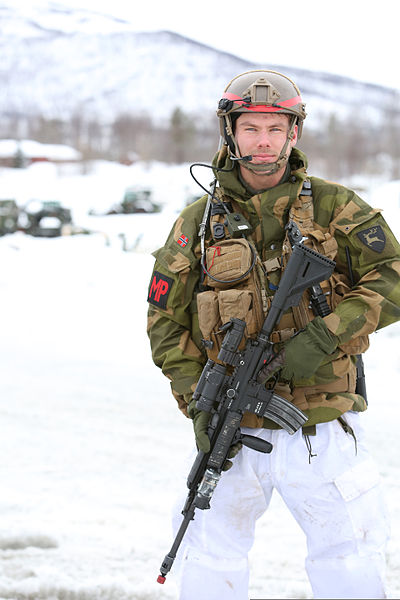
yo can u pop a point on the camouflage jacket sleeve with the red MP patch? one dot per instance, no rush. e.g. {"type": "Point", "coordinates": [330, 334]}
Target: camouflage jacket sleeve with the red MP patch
{"type": "Point", "coordinates": [172, 316]}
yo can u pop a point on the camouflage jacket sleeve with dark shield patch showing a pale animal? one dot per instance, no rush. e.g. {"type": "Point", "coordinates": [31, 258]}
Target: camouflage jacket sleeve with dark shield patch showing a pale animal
{"type": "Point", "coordinates": [374, 253]}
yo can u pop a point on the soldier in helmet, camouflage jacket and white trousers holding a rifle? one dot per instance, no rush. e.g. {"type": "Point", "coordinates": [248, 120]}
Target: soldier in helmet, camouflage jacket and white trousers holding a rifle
{"type": "Point", "coordinates": [323, 472]}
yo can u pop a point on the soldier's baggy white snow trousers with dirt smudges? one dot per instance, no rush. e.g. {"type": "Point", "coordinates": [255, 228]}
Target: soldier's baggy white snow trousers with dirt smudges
{"type": "Point", "coordinates": [334, 496]}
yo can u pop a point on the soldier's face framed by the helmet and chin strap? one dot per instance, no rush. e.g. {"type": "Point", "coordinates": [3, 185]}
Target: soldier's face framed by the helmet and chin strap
{"type": "Point", "coordinates": [263, 135]}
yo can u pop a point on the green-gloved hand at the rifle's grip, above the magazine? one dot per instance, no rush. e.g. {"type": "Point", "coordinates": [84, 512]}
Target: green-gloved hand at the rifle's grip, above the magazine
{"type": "Point", "coordinates": [301, 356]}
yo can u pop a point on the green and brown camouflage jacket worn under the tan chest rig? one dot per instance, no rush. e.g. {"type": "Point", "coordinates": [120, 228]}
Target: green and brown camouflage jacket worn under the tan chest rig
{"type": "Point", "coordinates": [373, 302]}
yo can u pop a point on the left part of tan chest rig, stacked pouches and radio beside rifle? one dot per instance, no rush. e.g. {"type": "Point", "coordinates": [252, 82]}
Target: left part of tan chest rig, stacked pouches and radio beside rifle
{"type": "Point", "coordinates": [233, 275]}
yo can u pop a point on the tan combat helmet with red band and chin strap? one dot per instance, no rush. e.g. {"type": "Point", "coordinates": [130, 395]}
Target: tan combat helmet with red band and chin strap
{"type": "Point", "coordinates": [260, 91]}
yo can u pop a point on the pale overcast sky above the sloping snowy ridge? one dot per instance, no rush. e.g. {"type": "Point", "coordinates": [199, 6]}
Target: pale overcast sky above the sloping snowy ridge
{"type": "Point", "coordinates": [356, 38]}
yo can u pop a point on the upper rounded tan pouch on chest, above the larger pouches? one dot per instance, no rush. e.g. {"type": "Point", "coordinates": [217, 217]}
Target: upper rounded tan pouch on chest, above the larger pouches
{"type": "Point", "coordinates": [227, 262]}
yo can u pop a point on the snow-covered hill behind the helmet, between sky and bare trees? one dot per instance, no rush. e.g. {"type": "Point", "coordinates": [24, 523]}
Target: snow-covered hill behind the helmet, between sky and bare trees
{"type": "Point", "coordinates": [58, 61]}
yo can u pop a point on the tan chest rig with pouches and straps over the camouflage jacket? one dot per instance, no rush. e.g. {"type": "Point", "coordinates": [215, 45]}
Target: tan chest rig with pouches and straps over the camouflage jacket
{"type": "Point", "coordinates": [241, 285]}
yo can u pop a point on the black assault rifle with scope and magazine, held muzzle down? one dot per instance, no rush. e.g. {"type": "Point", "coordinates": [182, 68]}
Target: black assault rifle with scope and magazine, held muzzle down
{"type": "Point", "coordinates": [230, 389]}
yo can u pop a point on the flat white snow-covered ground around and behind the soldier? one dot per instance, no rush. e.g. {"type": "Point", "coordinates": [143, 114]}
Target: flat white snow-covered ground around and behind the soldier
{"type": "Point", "coordinates": [92, 445]}
